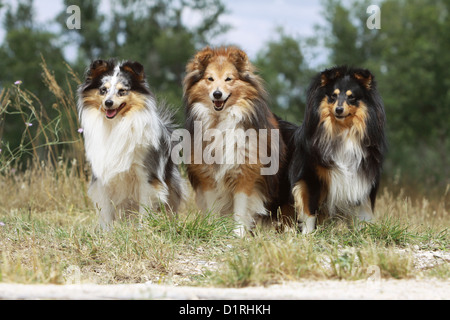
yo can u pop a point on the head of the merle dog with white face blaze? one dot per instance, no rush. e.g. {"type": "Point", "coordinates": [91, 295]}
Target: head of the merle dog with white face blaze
{"type": "Point", "coordinates": [114, 88]}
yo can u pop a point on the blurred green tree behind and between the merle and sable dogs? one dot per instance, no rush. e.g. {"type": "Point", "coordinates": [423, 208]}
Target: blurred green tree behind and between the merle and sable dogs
{"type": "Point", "coordinates": [151, 32]}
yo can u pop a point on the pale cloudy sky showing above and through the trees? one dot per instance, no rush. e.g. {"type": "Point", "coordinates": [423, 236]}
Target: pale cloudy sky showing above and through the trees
{"type": "Point", "coordinates": [253, 22]}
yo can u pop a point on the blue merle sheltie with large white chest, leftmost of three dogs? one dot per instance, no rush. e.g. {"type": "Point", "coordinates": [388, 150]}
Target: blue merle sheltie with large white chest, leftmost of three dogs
{"type": "Point", "coordinates": [127, 142]}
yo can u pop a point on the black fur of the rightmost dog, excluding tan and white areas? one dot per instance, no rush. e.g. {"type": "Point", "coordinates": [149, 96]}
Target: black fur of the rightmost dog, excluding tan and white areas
{"type": "Point", "coordinates": [310, 150]}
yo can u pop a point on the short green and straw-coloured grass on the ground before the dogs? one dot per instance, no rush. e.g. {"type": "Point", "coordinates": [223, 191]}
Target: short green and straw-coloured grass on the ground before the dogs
{"type": "Point", "coordinates": [45, 244]}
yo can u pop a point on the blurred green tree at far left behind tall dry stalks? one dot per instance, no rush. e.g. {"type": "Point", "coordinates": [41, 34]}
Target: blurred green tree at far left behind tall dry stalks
{"type": "Point", "coordinates": [21, 53]}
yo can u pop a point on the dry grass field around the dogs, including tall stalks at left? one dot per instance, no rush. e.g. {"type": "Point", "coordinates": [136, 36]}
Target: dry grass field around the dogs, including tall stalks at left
{"type": "Point", "coordinates": [48, 231]}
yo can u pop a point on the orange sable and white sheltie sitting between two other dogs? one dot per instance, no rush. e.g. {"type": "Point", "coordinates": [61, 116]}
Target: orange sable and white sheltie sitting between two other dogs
{"type": "Point", "coordinates": [224, 98]}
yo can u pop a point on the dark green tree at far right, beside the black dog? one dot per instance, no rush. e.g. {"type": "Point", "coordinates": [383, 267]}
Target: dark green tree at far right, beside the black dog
{"type": "Point", "coordinates": [416, 84]}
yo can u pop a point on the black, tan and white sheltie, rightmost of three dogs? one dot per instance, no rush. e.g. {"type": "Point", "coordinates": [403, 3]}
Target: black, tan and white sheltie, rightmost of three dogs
{"type": "Point", "coordinates": [339, 149]}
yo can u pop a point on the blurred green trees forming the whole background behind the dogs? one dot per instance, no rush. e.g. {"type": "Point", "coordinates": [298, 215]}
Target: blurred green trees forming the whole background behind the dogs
{"type": "Point", "coordinates": [410, 56]}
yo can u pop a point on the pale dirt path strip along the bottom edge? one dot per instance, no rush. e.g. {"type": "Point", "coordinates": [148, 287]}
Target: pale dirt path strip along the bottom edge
{"type": "Point", "coordinates": [382, 289]}
